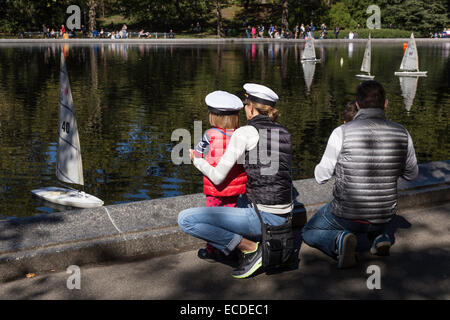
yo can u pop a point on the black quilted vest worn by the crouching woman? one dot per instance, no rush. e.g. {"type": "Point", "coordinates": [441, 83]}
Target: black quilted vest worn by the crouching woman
{"type": "Point", "coordinates": [268, 165]}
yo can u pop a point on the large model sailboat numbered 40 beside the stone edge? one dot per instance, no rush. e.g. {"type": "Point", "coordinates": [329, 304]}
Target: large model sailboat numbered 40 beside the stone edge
{"type": "Point", "coordinates": [69, 167]}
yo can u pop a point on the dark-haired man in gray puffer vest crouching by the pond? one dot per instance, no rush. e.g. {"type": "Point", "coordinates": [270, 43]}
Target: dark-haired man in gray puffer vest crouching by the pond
{"type": "Point", "coordinates": [367, 156]}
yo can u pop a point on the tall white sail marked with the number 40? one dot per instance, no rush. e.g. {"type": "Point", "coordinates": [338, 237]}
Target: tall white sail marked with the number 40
{"type": "Point", "coordinates": [69, 167]}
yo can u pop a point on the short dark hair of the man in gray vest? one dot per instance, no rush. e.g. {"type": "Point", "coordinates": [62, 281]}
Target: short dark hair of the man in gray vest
{"type": "Point", "coordinates": [370, 94]}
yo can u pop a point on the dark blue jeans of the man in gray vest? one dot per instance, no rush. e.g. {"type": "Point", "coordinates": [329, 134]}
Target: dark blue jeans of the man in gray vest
{"type": "Point", "coordinates": [323, 228]}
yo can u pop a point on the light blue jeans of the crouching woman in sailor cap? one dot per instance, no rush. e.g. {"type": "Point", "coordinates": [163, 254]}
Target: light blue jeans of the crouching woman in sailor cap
{"type": "Point", "coordinates": [224, 227]}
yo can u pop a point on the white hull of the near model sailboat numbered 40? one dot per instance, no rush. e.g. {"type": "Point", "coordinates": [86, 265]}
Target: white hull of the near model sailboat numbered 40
{"type": "Point", "coordinates": [68, 197]}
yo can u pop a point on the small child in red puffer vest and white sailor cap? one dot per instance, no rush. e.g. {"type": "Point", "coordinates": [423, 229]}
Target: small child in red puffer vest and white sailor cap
{"type": "Point", "coordinates": [224, 110]}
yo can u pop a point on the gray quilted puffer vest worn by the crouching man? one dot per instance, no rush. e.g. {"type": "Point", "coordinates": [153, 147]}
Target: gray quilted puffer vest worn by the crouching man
{"type": "Point", "coordinates": [372, 158]}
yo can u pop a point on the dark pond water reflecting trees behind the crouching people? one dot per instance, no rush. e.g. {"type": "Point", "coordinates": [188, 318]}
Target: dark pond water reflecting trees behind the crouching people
{"type": "Point", "coordinates": [129, 98]}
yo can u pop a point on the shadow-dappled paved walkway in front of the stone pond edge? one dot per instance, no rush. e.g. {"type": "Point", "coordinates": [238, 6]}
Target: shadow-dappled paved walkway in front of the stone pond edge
{"type": "Point", "coordinates": [418, 268]}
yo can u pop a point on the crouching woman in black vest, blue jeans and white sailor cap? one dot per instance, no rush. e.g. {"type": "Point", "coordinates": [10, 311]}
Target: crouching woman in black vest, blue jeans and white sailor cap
{"type": "Point", "coordinates": [263, 146]}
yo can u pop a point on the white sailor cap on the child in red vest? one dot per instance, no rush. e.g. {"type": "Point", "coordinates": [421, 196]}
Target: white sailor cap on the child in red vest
{"type": "Point", "coordinates": [223, 103]}
